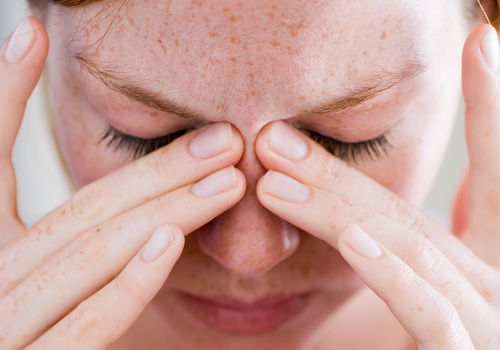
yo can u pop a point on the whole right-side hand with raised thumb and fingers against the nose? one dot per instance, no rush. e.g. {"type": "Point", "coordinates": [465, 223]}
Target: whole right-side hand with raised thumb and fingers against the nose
{"type": "Point", "coordinates": [444, 291]}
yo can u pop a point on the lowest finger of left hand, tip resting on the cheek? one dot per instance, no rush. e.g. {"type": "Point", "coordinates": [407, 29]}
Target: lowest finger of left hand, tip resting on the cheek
{"type": "Point", "coordinates": [108, 314]}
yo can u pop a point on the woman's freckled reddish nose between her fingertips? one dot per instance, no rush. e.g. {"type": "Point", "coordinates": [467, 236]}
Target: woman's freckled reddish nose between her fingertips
{"type": "Point", "coordinates": [249, 240]}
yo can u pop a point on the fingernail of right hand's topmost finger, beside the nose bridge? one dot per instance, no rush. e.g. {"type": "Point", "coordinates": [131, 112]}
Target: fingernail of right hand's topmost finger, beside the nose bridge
{"type": "Point", "coordinates": [286, 141]}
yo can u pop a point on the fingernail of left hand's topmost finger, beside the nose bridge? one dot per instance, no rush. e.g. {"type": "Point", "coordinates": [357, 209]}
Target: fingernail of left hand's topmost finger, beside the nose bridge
{"type": "Point", "coordinates": [212, 141]}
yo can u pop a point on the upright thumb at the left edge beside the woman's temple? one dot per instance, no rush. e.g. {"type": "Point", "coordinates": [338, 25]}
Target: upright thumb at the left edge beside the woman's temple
{"type": "Point", "coordinates": [22, 58]}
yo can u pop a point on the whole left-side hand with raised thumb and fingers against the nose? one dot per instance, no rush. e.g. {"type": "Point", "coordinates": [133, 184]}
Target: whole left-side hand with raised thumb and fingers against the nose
{"type": "Point", "coordinates": [80, 277]}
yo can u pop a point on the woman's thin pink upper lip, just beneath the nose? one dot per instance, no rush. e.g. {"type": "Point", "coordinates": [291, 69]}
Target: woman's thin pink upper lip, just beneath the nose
{"type": "Point", "coordinates": [234, 303]}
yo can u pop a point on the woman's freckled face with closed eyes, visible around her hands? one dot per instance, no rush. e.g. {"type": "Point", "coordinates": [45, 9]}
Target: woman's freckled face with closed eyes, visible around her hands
{"type": "Point", "coordinates": [251, 63]}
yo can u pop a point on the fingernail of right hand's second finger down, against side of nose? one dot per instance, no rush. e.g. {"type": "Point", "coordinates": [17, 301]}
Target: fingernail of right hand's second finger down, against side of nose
{"type": "Point", "coordinates": [284, 187]}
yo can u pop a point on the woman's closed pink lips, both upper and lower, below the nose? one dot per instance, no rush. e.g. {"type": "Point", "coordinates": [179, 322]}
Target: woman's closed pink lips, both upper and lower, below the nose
{"type": "Point", "coordinates": [248, 320]}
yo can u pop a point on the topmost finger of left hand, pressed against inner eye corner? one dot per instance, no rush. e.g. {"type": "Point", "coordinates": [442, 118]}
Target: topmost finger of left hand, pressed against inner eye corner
{"type": "Point", "coordinates": [167, 169]}
